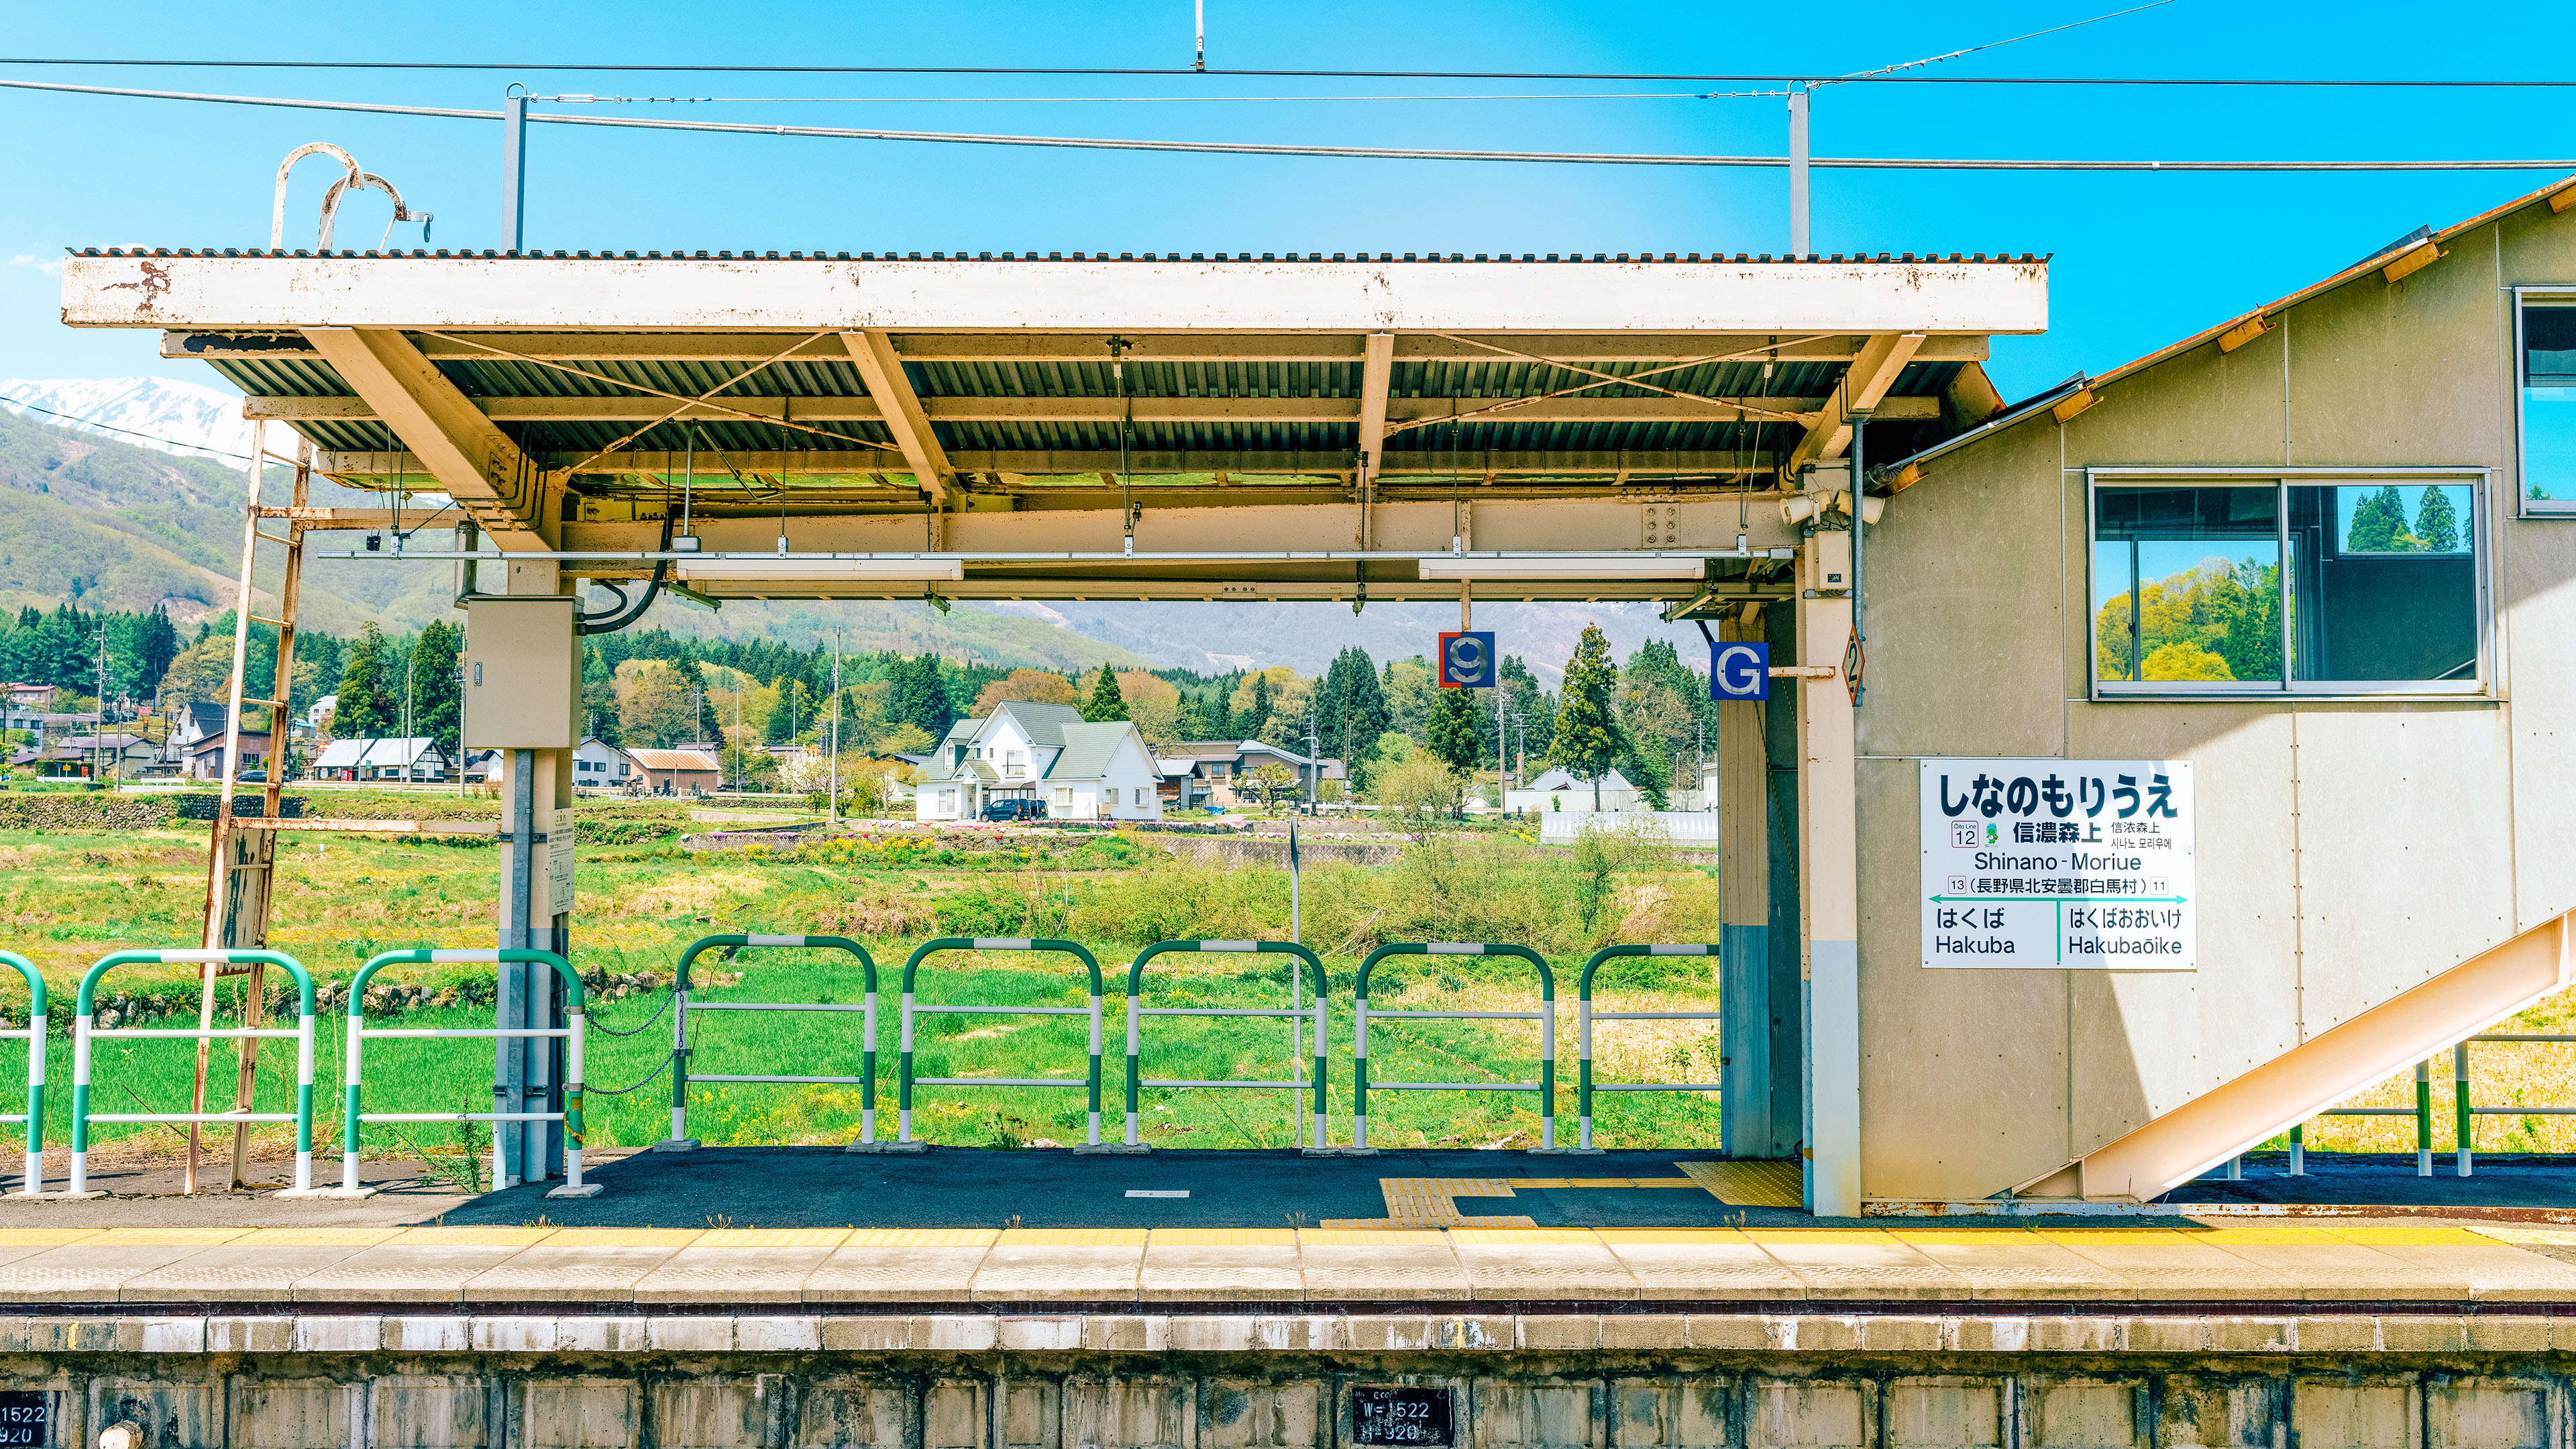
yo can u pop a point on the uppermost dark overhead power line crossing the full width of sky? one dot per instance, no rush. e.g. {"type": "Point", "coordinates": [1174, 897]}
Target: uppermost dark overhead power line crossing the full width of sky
{"type": "Point", "coordinates": [1786, 79]}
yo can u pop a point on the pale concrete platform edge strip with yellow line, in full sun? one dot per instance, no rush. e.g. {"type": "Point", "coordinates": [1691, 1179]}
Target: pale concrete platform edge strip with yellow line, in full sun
{"type": "Point", "coordinates": [872, 1270]}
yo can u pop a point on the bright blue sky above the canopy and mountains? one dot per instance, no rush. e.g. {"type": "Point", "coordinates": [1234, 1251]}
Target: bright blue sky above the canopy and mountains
{"type": "Point", "coordinates": [2139, 259]}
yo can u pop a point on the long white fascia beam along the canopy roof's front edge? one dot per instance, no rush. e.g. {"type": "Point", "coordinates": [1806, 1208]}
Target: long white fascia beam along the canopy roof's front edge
{"type": "Point", "coordinates": [1057, 295]}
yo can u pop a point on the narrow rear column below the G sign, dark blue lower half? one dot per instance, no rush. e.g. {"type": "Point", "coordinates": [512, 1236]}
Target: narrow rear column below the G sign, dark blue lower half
{"type": "Point", "coordinates": [1745, 997]}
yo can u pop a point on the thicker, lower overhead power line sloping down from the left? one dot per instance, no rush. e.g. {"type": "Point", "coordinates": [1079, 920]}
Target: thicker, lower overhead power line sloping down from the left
{"type": "Point", "coordinates": [1302, 151]}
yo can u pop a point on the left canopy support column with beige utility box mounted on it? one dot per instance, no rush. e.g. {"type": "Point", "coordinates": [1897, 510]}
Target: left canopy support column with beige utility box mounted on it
{"type": "Point", "coordinates": [524, 700]}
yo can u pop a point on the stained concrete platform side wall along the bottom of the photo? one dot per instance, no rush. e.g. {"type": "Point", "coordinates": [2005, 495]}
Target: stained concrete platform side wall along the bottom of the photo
{"type": "Point", "coordinates": [1284, 1383]}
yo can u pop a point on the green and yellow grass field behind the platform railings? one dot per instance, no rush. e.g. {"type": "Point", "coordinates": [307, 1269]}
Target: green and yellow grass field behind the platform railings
{"type": "Point", "coordinates": [71, 899]}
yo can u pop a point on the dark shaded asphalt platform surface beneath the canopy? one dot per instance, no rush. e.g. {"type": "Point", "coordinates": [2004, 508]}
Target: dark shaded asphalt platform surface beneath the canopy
{"type": "Point", "coordinates": [1042, 1187]}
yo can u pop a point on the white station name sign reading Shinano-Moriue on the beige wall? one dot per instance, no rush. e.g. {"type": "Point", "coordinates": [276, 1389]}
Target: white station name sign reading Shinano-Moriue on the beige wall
{"type": "Point", "coordinates": [2060, 865]}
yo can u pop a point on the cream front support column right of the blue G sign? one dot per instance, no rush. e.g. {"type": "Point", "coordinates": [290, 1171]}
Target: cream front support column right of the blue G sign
{"type": "Point", "coordinates": [1830, 880]}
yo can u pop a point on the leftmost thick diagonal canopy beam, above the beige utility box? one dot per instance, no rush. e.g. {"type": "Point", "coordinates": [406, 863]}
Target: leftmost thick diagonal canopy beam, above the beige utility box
{"type": "Point", "coordinates": [468, 455]}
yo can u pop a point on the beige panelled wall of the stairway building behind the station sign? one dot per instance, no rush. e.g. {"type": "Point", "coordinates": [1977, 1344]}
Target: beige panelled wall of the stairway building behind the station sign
{"type": "Point", "coordinates": [2348, 850]}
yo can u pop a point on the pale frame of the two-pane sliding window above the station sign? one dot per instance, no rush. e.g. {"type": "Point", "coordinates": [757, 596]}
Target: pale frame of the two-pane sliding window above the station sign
{"type": "Point", "coordinates": [2284, 481]}
